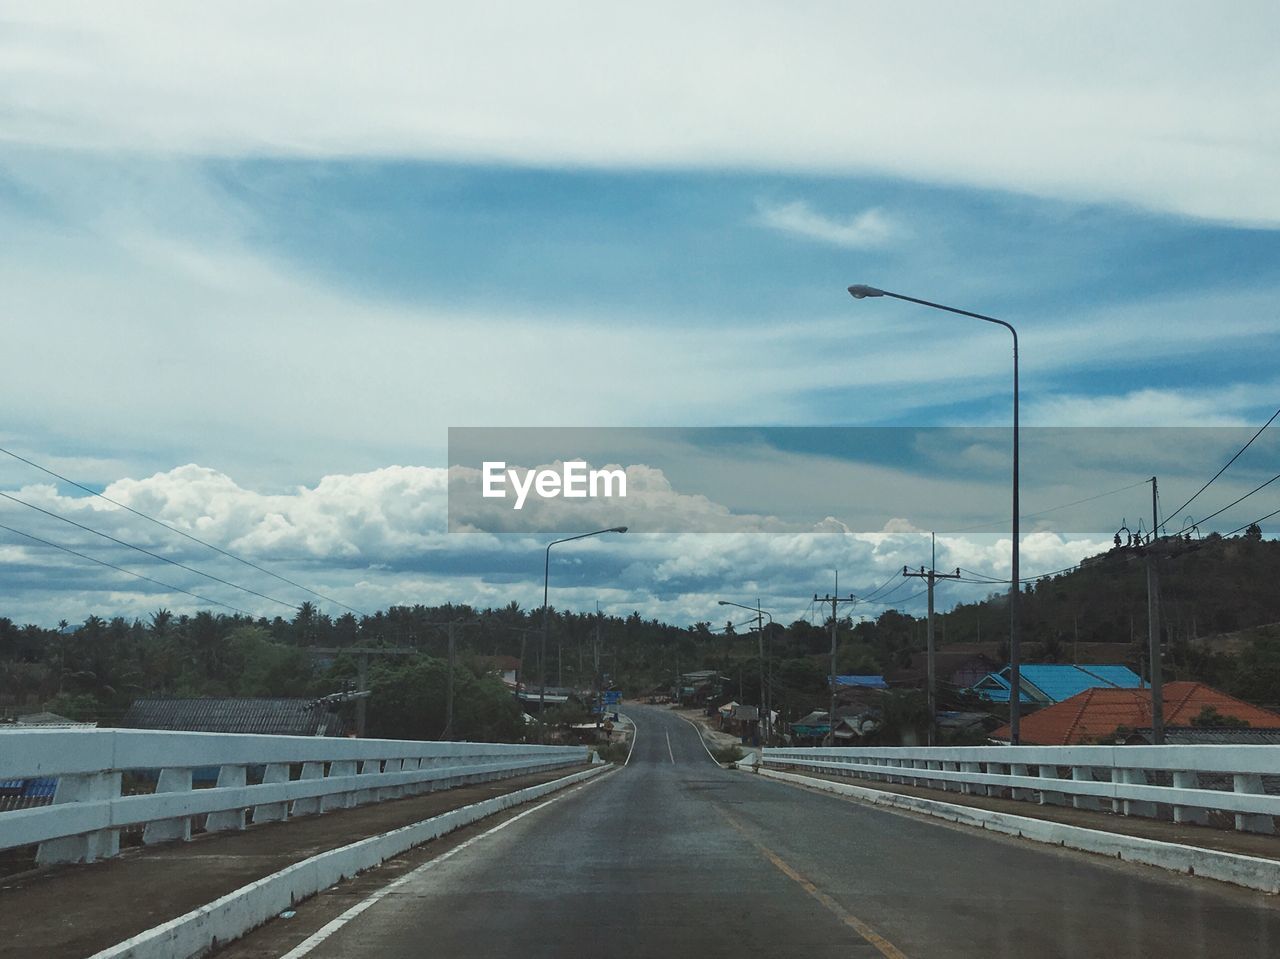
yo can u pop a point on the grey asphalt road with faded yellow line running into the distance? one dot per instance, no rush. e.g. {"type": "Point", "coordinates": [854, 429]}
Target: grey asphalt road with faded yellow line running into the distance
{"type": "Point", "coordinates": [676, 857]}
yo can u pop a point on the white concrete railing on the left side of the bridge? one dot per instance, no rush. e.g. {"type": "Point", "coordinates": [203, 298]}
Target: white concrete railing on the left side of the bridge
{"type": "Point", "coordinates": [113, 780]}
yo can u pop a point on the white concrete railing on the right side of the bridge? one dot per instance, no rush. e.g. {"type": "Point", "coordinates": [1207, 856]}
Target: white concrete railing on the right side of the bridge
{"type": "Point", "coordinates": [1185, 783]}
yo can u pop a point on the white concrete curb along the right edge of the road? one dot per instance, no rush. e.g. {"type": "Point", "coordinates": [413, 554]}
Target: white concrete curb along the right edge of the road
{"type": "Point", "coordinates": [1246, 871]}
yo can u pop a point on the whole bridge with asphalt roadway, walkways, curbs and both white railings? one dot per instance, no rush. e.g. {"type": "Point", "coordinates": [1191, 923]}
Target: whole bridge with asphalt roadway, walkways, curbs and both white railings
{"type": "Point", "coordinates": [820, 853]}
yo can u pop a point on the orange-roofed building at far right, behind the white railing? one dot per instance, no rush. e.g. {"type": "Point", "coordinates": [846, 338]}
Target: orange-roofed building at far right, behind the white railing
{"type": "Point", "coordinates": [1108, 715]}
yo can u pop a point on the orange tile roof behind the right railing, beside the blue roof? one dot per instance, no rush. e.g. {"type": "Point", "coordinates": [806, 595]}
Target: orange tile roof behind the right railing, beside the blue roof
{"type": "Point", "coordinates": [1094, 715]}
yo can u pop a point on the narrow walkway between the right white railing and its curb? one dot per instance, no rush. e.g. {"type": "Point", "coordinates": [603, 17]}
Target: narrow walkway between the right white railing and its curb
{"type": "Point", "coordinates": [1183, 834]}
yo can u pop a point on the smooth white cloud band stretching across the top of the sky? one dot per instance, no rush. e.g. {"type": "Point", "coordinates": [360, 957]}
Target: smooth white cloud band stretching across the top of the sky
{"type": "Point", "coordinates": [1168, 106]}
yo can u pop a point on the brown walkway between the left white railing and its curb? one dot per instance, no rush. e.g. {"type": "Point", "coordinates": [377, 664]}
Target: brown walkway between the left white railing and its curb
{"type": "Point", "coordinates": [70, 912]}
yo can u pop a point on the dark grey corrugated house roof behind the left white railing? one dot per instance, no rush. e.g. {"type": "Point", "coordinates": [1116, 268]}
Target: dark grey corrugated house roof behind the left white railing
{"type": "Point", "coordinates": [276, 718]}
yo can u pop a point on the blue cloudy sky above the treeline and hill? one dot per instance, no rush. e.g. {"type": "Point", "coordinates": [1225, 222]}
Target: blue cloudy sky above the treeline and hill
{"type": "Point", "coordinates": [258, 261]}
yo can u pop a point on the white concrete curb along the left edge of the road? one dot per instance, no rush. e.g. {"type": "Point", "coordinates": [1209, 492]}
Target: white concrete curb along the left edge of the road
{"type": "Point", "coordinates": [246, 908]}
